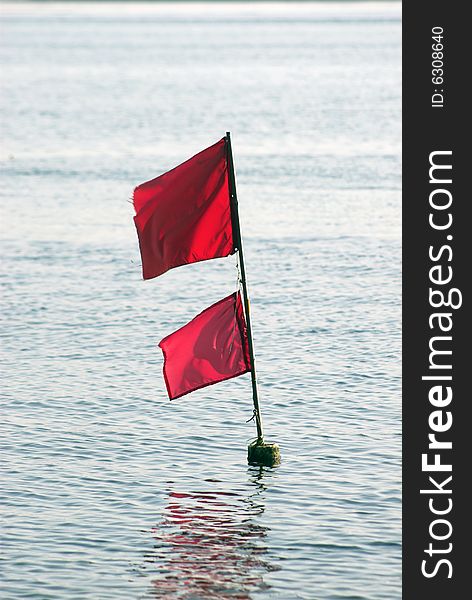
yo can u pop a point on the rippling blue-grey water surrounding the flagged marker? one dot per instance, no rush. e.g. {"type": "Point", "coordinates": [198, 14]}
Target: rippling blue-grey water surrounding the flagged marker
{"type": "Point", "coordinates": [110, 491]}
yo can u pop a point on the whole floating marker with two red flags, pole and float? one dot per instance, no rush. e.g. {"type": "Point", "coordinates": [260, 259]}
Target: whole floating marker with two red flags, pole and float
{"type": "Point", "coordinates": [187, 215]}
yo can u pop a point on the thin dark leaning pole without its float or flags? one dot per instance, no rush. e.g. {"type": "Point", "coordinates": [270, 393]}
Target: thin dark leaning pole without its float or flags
{"type": "Point", "coordinates": [238, 244]}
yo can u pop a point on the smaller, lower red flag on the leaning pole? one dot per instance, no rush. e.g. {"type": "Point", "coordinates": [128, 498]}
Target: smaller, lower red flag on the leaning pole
{"type": "Point", "coordinates": [211, 348]}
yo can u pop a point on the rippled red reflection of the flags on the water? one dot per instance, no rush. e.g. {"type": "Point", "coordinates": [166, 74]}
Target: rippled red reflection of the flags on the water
{"type": "Point", "coordinates": [209, 544]}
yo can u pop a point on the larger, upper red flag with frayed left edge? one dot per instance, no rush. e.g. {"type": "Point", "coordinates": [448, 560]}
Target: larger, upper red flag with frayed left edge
{"type": "Point", "coordinates": [184, 216]}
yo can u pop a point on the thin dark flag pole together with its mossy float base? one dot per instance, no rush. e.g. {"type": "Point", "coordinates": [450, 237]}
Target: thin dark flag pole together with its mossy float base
{"type": "Point", "coordinates": [258, 452]}
